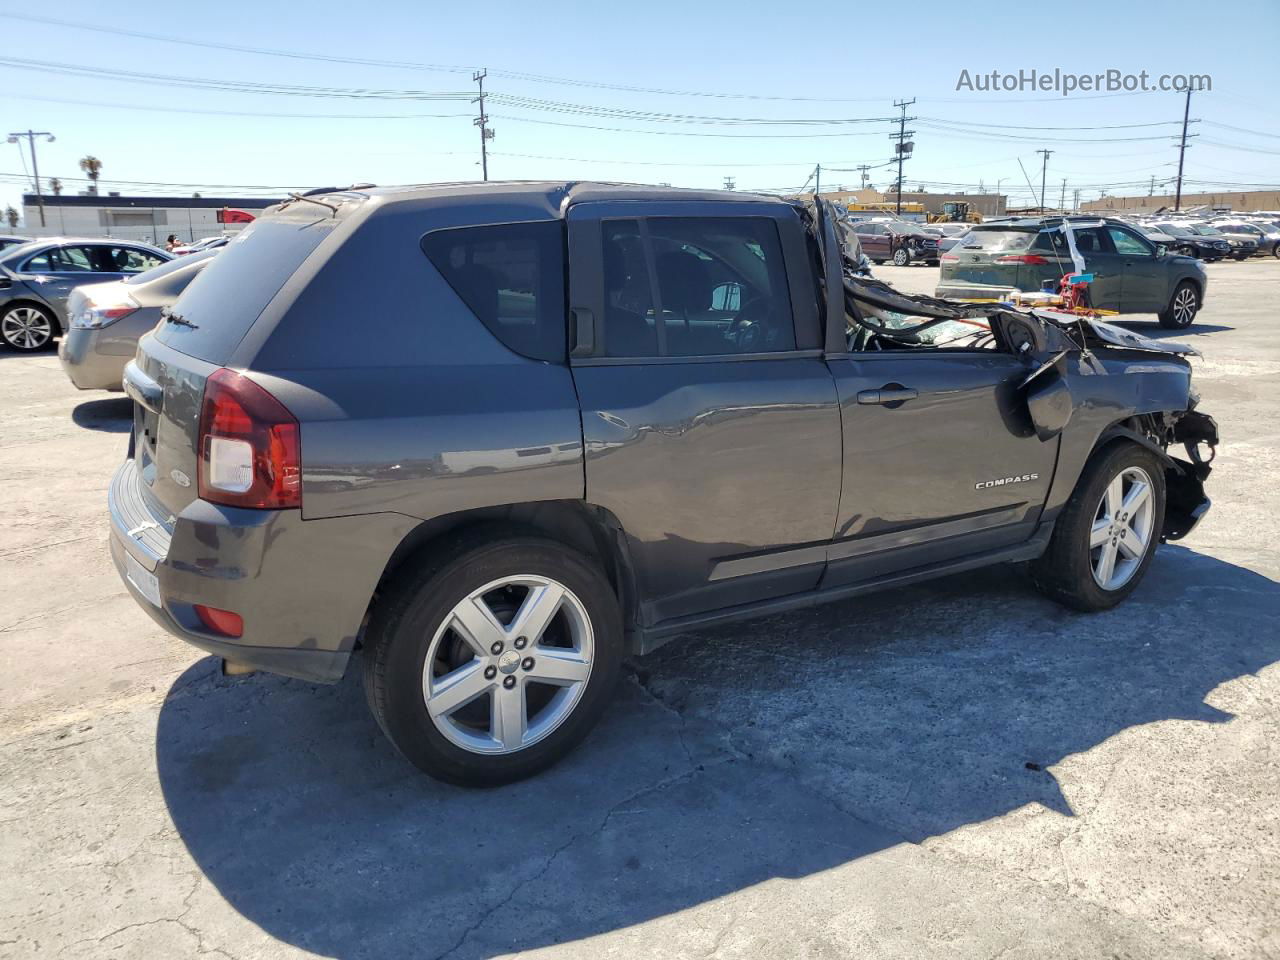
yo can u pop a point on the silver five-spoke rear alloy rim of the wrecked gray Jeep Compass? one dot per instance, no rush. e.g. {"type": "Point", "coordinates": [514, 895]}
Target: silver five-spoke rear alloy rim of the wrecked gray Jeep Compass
{"type": "Point", "coordinates": [509, 665]}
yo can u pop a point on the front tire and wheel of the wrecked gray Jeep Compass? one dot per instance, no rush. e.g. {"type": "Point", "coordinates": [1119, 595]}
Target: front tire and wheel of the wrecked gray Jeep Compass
{"type": "Point", "coordinates": [1071, 572]}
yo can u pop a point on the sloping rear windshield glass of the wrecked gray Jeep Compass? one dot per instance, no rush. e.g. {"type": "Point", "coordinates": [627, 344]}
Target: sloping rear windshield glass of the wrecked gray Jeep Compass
{"type": "Point", "coordinates": [228, 296]}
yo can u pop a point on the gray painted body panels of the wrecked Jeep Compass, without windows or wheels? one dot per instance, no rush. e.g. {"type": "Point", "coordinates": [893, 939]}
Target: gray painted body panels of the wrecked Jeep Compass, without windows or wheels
{"type": "Point", "coordinates": [712, 488]}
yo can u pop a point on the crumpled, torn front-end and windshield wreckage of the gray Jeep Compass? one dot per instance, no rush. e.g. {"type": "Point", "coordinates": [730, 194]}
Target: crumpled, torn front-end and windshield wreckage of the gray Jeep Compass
{"type": "Point", "coordinates": [1075, 363]}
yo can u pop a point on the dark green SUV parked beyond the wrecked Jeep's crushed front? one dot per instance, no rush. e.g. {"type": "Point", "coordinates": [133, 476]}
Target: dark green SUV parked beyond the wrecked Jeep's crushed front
{"type": "Point", "coordinates": [1131, 275]}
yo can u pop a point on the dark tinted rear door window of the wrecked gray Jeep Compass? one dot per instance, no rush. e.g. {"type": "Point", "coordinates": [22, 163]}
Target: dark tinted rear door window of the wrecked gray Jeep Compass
{"type": "Point", "coordinates": [717, 287]}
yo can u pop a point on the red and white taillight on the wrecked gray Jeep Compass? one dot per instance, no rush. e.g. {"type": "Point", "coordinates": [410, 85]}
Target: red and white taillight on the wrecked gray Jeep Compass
{"type": "Point", "coordinates": [250, 447]}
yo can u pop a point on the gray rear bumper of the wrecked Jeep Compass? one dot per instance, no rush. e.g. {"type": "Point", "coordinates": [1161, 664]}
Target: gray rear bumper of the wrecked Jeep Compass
{"type": "Point", "coordinates": [301, 587]}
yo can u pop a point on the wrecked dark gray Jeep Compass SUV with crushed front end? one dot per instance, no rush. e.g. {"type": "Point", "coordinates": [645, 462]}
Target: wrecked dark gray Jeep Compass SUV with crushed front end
{"type": "Point", "coordinates": [572, 422]}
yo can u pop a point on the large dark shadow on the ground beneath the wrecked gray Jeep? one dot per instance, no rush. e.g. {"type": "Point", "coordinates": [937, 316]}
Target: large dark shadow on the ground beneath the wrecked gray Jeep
{"type": "Point", "coordinates": [776, 748]}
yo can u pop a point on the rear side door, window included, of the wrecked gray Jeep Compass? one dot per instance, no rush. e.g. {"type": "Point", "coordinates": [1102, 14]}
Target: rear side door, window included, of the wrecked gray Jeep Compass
{"type": "Point", "coordinates": [711, 422]}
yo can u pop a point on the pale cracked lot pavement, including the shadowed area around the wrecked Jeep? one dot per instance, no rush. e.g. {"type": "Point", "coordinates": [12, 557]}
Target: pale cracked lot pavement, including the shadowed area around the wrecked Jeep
{"type": "Point", "coordinates": [957, 770]}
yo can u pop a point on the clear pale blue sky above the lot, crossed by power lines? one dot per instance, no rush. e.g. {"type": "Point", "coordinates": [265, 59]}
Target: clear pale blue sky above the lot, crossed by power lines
{"type": "Point", "coordinates": [771, 61]}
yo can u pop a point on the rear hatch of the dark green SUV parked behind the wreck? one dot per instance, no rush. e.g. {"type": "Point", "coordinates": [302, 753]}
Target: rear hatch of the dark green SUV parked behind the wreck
{"type": "Point", "coordinates": [1005, 257]}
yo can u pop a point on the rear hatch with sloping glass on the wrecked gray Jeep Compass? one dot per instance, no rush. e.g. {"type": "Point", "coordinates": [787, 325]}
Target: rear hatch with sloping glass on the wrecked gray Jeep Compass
{"type": "Point", "coordinates": [204, 328]}
